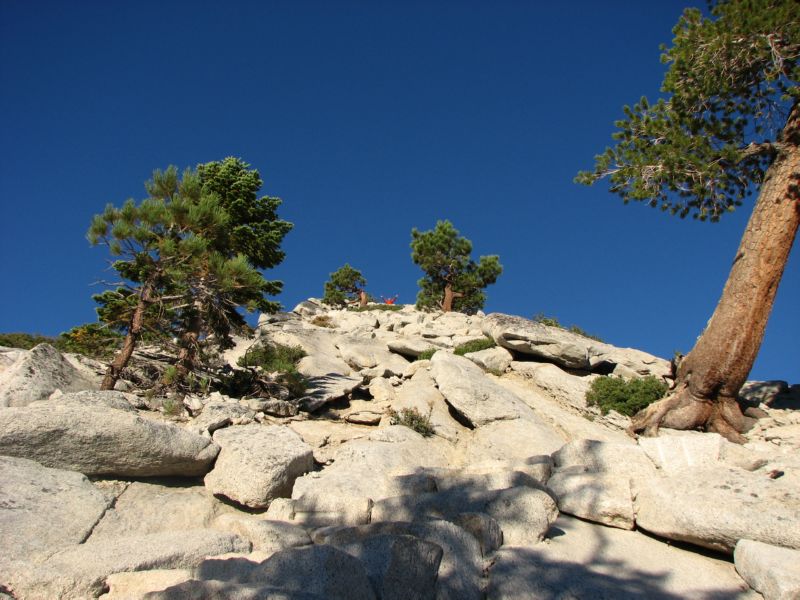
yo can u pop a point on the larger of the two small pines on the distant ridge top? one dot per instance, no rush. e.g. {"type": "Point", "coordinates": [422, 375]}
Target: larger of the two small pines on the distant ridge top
{"type": "Point", "coordinates": [453, 281]}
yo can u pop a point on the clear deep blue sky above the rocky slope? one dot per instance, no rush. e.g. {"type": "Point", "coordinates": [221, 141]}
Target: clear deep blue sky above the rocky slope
{"type": "Point", "coordinates": [367, 119]}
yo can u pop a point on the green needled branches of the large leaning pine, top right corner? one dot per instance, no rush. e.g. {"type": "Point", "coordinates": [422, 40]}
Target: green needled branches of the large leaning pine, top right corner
{"type": "Point", "coordinates": [732, 80]}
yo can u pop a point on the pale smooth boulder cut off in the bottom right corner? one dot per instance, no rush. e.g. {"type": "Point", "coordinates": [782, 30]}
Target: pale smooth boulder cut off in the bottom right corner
{"type": "Point", "coordinates": [771, 570]}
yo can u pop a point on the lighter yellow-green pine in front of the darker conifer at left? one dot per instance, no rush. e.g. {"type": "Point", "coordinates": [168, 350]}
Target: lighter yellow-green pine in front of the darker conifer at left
{"type": "Point", "coordinates": [181, 275]}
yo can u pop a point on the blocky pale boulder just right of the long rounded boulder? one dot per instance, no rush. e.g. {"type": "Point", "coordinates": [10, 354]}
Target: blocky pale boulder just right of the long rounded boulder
{"type": "Point", "coordinates": [258, 463]}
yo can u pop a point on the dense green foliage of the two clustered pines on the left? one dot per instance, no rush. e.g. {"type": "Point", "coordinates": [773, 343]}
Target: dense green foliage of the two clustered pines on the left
{"type": "Point", "coordinates": [188, 256]}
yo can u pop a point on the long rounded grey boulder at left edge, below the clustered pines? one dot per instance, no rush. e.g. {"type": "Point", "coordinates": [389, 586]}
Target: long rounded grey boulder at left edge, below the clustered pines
{"type": "Point", "coordinates": [102, 441]}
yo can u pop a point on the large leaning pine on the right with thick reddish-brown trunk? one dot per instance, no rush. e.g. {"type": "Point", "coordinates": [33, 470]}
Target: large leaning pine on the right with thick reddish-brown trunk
{"type": "Point", "coordinates": [730, 122]}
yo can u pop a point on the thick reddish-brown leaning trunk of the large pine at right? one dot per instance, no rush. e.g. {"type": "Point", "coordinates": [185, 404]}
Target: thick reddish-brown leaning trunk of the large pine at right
{"type": "Point", "coordinates": [710, 377]}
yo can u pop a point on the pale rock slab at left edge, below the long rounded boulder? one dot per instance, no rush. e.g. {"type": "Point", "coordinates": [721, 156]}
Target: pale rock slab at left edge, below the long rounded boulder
{"type": "Point", "coordinates": [43, 510]}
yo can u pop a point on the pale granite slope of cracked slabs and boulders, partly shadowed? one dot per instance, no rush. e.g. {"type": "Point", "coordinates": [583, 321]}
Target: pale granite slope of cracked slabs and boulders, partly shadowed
{"type": "Point", "coordinates": [390, 477]}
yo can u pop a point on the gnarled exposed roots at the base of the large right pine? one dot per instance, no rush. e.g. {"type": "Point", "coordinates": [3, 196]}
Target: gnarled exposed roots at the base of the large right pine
{"type": "Point", "coordinates": [683, 410]}
